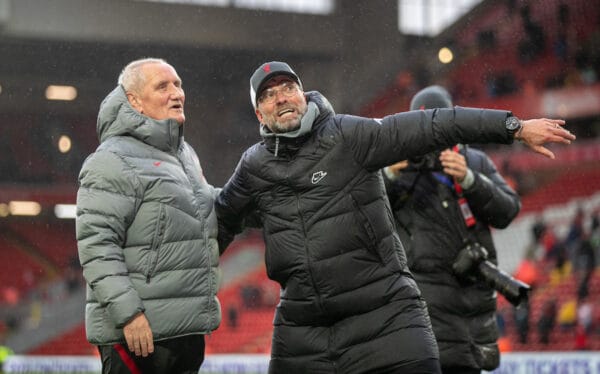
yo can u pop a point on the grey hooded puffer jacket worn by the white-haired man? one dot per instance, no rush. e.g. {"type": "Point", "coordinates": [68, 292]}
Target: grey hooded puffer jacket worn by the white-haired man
{"type": "Point", "coordinates": [146, 229]}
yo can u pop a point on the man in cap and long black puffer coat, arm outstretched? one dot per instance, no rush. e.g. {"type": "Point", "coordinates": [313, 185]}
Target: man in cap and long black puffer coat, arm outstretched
{"type": "Point", "coordinates": [348, 302]}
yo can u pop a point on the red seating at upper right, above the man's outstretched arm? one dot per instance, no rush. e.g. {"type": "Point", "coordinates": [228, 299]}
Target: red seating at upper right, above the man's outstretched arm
{"type": "Point", "coordinates": [468, 75]}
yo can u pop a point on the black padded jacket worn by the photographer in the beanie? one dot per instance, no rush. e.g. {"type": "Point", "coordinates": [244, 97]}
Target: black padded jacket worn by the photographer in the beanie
{"type": "Point", "coordinates": [432, 228]}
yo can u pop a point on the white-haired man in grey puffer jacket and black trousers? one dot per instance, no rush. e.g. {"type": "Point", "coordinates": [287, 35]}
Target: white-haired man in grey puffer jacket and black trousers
{"type": "Point", "coordinates": [147, 230]}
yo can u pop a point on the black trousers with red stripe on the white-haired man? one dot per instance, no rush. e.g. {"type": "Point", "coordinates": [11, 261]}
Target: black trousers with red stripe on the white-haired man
{"type": "Point", "coordinates": [178, 356]}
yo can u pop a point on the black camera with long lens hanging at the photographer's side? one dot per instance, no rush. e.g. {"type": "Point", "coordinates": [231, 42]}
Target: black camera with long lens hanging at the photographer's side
{"type": "Point", "coordinates": [471, 264]}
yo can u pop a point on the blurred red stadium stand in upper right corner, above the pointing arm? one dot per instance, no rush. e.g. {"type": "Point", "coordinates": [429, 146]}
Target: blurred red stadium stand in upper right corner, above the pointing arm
{"type": "Point", "coordinates": [483, 66]}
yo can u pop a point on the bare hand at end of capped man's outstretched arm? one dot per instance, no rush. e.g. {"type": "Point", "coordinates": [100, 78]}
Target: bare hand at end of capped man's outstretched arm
{"type": "Point", "coordinates": [536, 132]}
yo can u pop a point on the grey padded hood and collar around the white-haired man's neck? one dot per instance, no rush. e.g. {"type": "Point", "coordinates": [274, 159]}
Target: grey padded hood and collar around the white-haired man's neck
{"type": "Point", "coordinates": [117, 117]}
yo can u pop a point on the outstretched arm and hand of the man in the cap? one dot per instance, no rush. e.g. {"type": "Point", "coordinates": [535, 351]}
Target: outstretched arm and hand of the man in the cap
{"type": "Point", "coordinates": [379, 143]}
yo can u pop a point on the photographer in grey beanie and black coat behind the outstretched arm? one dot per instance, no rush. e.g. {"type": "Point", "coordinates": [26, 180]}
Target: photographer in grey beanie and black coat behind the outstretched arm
{"type": "Point", "coordinates": [444, 203]}
